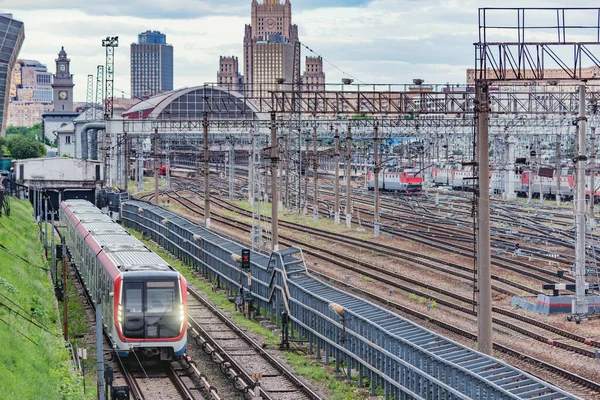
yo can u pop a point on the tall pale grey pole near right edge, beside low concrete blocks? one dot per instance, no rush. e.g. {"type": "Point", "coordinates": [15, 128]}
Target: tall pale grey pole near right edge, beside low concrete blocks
{"type": "Point", "coordinates": [579, 305]}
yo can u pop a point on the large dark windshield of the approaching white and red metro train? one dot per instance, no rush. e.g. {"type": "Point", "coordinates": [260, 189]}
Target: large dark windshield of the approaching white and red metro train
{"type": "Point", "coordinates": [151, 309]}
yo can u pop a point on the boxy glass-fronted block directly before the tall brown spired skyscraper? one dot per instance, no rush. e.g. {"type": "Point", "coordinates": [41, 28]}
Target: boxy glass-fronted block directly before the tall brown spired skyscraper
{"type": "Point", "coordinates": [273, 65]}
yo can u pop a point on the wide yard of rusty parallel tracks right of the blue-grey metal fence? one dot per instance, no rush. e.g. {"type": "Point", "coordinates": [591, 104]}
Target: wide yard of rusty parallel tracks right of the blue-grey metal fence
{"type": "Point", "coordinates": [422, 267]}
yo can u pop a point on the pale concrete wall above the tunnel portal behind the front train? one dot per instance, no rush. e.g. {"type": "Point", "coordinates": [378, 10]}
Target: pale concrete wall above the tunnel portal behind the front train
{"type": "Point", "coordinates": [58, 169]}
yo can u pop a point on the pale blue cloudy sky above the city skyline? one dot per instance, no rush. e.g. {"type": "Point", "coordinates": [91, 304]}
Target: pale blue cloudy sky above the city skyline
{"type": "Point", "coordinates": [377, 41]}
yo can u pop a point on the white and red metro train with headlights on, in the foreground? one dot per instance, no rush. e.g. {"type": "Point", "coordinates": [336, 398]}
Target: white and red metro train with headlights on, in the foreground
{"type": "Point", "coordinates": [144, 298]}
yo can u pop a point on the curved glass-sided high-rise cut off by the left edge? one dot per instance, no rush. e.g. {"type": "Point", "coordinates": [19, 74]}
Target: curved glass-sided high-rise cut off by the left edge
{"type": "Point", "coordinates": [12, 34]}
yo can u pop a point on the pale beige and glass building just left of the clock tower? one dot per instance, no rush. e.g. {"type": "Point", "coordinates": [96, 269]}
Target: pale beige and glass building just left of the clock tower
{"type": "Point", "coordinates": [30, 93]}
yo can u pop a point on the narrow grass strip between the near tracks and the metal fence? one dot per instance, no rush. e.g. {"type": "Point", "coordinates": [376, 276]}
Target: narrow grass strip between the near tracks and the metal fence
{"type": "Point", "coordinates": [304, 366]}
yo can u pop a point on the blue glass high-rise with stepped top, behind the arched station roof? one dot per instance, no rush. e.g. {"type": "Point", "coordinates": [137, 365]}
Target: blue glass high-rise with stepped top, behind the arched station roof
{"type": "Point", "coordinates": [151, 65]}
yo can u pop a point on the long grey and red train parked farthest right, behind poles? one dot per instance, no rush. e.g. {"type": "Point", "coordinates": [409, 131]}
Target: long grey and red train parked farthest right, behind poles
{"type": "Point", "coordinates": [521, 182]}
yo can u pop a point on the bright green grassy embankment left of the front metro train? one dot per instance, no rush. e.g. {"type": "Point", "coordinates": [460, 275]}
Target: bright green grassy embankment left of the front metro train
{"type": "Point", "coordinates": [27, 370]}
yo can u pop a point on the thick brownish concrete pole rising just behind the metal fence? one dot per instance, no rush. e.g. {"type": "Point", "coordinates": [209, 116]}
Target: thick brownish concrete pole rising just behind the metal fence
{"type": "Point", "coordinates": [484, 301]}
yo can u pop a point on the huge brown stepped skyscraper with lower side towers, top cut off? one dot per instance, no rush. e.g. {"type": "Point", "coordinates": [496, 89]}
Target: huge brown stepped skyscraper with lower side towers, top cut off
{"type": "Point", "coordinates": [267, 42]}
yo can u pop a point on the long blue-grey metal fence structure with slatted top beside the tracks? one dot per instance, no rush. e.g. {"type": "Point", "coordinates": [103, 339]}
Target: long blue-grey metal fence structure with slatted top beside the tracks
{"type": "Point", "coordinates": [401, 358]}
